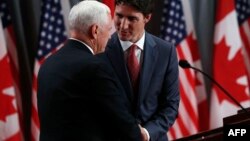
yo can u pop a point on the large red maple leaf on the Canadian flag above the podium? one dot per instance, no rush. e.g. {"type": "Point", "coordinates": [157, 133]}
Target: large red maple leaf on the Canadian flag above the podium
{"type": "Point", "coordinates": [226, 72]}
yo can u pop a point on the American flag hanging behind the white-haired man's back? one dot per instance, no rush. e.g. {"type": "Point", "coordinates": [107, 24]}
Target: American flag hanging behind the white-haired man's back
{"type": "Point", "coordinates": [51, 36]}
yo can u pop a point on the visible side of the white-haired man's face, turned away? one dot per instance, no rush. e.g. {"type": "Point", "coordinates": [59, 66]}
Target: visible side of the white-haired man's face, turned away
{"type": "Point", "coordinates": [103, 35]}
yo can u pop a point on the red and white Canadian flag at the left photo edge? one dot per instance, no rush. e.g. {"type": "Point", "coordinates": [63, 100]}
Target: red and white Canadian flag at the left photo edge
{"type": "Point", "coordinates": [9, 118]}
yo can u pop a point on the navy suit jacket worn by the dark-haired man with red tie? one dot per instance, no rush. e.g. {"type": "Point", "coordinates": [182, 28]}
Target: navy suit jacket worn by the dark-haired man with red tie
{"type": "Point", "coordinates": [158, 97]}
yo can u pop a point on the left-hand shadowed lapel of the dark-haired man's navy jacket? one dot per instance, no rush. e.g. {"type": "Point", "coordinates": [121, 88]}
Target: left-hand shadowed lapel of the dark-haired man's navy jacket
{"type": "Point", "coordinates": [116, 56]}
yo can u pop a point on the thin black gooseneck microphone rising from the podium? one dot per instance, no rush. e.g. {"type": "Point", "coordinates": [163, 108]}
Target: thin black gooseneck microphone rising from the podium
{"type": "Point", "coordinates": [185, 65]}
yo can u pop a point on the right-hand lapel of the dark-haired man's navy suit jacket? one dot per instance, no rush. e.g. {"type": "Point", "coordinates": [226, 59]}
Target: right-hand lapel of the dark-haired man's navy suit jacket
{"type": "Point", "coordinates": [149, 61]}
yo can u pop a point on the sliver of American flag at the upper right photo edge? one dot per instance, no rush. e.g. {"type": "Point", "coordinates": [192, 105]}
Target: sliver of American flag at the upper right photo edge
{"type": "Point", "coordinates": [243, 15]}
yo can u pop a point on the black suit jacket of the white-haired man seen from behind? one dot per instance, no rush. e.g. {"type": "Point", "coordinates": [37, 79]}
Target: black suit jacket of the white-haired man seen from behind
{"type": "Point", "coordinates": [79, 99]}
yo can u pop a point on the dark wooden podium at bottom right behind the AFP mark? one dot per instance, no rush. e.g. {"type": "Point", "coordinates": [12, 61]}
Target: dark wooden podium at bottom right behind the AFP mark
{"type": "Point", "coordinates": [241, 118]}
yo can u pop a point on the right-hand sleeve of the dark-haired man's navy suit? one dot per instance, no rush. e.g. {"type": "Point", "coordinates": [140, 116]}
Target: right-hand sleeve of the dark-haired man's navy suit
{"type": "Point", "coordinates": [168, 103]}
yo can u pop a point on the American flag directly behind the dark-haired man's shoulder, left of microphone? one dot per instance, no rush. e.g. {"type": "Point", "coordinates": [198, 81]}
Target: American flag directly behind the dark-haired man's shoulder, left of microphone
{"type": "Point", "coordinates": [178, 28]}
